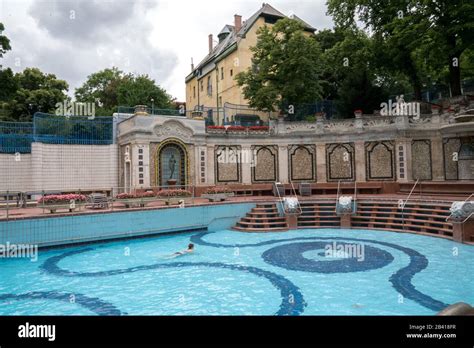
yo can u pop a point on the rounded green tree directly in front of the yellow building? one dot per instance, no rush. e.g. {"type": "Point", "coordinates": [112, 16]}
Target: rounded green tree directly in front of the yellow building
{"type": "Point", "coordinates": [285, 68]}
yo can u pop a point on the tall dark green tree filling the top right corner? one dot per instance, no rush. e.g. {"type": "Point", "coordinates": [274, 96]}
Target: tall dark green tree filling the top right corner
{"type": "Point", "coordinates": [415, 33]}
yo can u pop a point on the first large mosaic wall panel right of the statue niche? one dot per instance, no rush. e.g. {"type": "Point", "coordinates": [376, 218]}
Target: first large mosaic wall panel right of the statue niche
{"type": "Point", "coordinates": [227, 164]}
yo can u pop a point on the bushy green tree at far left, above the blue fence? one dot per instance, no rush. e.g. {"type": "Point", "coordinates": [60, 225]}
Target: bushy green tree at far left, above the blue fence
{"type": "Point", "coordinates": [36, 91]}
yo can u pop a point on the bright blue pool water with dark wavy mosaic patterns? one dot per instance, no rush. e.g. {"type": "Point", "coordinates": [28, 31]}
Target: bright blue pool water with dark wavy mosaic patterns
{"type": "Point", "coordinates": [234, 273]}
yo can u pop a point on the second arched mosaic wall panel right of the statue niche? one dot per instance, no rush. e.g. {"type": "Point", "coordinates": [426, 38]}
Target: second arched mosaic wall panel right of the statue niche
{"type": "Point", "coordinates": [266, 163]}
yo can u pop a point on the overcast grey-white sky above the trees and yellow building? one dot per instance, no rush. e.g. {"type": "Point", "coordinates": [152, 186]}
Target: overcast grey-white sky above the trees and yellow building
{"type": "Point", "coordinates": [74, 38]}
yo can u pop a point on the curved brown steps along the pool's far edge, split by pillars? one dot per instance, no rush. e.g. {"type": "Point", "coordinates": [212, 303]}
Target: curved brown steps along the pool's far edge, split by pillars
{"type": "Point", "coordinates": [417, 217]}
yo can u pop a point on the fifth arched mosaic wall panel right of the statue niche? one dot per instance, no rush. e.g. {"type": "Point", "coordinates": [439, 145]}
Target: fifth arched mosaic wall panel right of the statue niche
{"type": "Point", "coordinates": [380, 160]}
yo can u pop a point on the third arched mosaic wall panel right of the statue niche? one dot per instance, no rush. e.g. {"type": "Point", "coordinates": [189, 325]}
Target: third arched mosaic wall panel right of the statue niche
{"type": "Point", "coordinates": [302, 162]}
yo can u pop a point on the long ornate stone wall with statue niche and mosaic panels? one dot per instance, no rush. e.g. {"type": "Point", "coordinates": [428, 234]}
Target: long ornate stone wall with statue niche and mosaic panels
{"type": "Point", "coordinates": [367, 148]}
